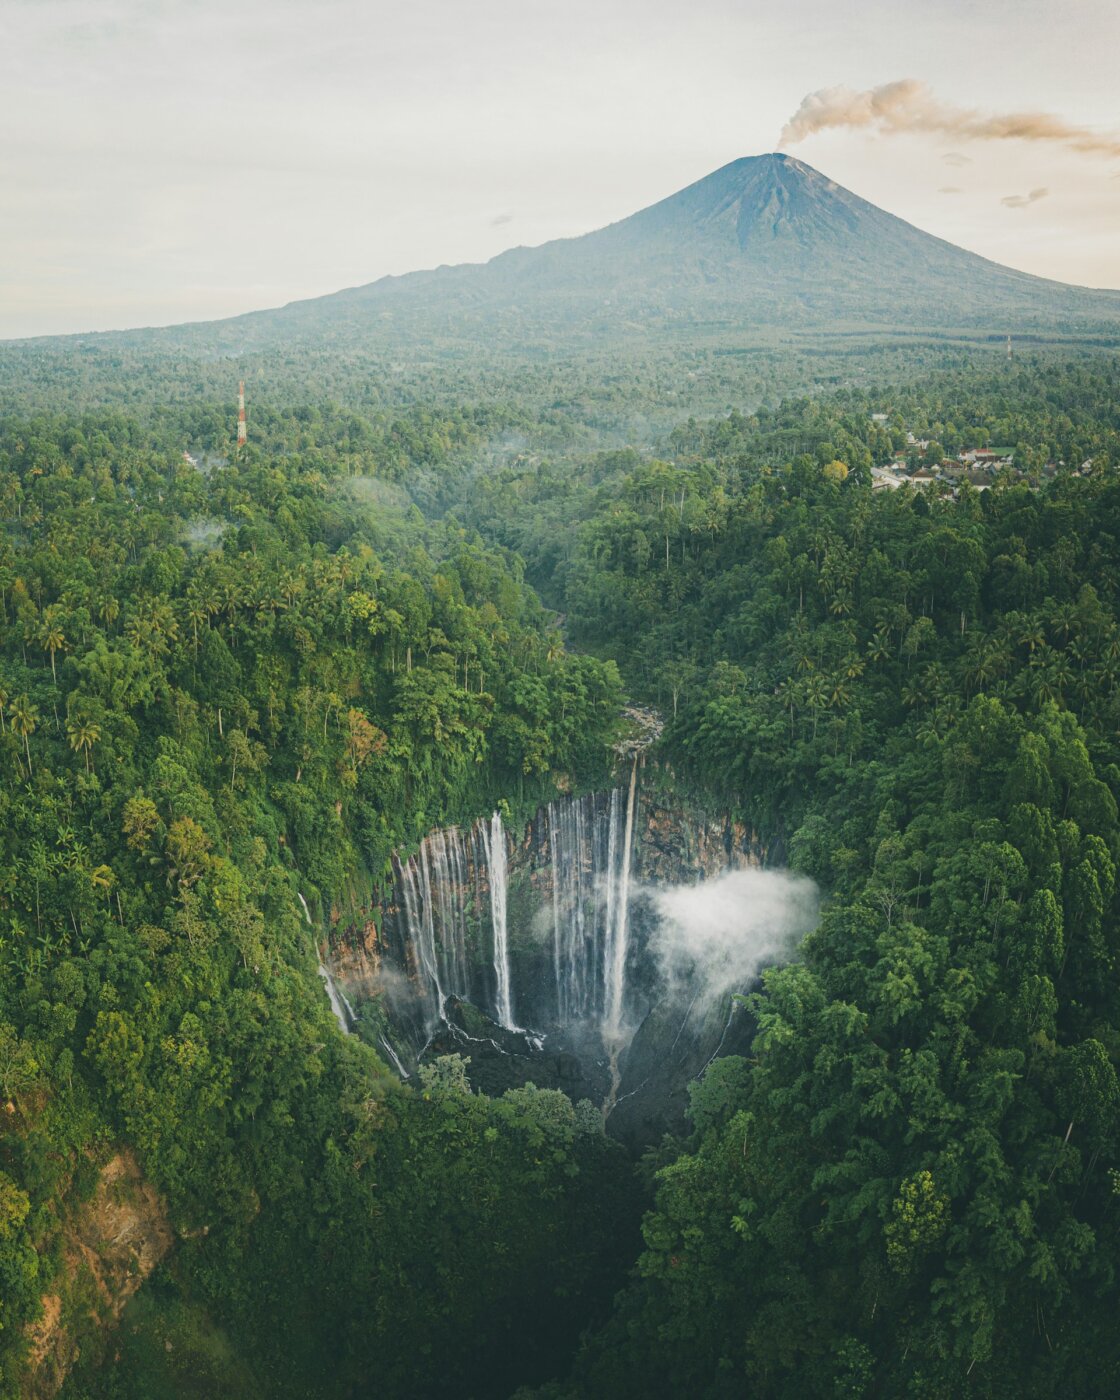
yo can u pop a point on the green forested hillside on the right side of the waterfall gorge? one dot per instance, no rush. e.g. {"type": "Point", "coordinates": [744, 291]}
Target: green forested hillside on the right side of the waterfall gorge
{"type": "Point", "coordinates": [911, 1186]}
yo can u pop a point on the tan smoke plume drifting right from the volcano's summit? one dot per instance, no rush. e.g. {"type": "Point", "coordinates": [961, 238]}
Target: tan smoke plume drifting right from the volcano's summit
{"type": "Point", "coordinates": [909, 106]}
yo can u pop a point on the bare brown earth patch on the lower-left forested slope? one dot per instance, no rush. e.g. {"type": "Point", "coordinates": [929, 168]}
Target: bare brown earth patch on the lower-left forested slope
{"type": "Point", "coordinates": [110, 1248]}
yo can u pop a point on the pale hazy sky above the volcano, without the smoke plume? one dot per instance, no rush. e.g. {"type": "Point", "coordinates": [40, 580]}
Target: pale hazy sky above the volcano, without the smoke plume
{"type": "Point", "coordinates": [176, 160]}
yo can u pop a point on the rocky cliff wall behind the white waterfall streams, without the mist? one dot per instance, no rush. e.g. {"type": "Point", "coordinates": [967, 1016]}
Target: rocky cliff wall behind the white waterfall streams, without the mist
{"type": "Point", "coordinates": [384, 967]}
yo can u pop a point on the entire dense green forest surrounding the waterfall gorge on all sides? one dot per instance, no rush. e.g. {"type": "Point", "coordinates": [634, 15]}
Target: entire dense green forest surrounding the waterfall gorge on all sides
{"type": "Point", "coordinates": [233, 681]}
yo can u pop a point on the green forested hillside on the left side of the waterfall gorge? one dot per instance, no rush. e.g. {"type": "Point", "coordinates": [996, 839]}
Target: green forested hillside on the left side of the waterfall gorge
{"type": "Point", "coordinates": [220, 691]}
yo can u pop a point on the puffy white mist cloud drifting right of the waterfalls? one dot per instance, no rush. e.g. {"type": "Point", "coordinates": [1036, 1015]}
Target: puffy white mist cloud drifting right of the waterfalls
{"type": "Point", "coordinates": [720, 934]}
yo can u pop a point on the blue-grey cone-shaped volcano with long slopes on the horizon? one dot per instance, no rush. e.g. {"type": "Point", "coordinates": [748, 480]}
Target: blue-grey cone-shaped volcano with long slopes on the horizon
{"type": "Point", "coordinates": [762, 246]}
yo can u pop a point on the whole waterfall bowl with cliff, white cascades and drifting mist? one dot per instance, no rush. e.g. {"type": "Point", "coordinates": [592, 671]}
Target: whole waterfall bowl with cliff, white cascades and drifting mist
{"type": "Point", "coordinates": [614, 923]}
